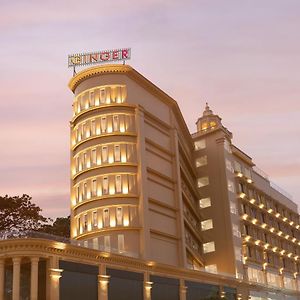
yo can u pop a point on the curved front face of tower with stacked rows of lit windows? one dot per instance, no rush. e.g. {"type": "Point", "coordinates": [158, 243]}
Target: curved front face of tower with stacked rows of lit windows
{"type": "Point", "coordinates": [104, 168]}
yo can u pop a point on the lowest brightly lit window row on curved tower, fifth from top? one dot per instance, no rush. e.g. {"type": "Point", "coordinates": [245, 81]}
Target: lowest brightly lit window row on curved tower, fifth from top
{"type": "Point", "coordinates": [107, 217]}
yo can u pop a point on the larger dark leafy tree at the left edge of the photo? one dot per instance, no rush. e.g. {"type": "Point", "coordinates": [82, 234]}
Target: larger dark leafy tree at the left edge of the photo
{"type": "Point", "coordinates": [19, 214]}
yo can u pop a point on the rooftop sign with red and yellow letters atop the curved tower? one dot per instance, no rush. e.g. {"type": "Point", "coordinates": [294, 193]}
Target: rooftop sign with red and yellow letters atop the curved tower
{"type": "Point", "coordinates": [82, 59]}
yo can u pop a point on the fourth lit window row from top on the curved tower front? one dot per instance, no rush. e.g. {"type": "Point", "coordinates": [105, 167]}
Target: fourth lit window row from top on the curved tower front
{"type": "Point", "coordinates": [105, 185]}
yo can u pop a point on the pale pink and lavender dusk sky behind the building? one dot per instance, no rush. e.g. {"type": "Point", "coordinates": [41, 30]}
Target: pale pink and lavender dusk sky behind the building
{"type": "Point", "coordinates": [242, 57]}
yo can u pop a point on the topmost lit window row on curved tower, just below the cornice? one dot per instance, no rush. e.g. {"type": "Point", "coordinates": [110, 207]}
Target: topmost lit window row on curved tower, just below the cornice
{"type": "Point", "coordinates": [99, 96]}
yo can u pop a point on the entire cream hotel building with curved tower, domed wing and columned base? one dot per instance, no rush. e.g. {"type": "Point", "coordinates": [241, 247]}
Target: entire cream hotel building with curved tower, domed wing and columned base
{"type": "Point", "coordinates": [157, 212]}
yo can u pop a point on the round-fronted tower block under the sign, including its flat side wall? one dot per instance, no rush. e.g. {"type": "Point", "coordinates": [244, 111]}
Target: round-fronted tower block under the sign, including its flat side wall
{"type": "Point", "coordinates": [133, 187]}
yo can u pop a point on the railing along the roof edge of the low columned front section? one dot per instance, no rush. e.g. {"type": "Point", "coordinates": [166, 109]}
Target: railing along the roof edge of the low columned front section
{"type": "Point", "coordinates": [31, 234]}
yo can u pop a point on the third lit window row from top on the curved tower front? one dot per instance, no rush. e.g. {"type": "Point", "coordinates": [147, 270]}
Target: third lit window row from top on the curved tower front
{"type": "Point", "coordinates": [105, 154]}
